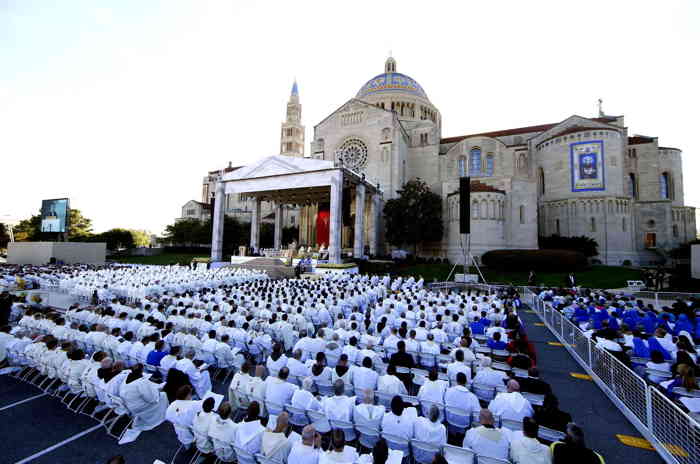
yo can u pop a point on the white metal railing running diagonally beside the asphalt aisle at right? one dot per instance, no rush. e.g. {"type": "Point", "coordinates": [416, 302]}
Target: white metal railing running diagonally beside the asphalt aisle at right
{"type": "Point", "coordinates": [672, 432]}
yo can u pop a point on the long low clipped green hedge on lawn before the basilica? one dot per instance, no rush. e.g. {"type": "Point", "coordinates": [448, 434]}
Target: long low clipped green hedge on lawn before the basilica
{"type": "Point", "coordinates": [536, 260]}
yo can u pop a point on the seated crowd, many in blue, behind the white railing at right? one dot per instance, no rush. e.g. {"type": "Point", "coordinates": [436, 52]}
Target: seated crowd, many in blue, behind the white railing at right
{"type": "Point", "coordinates": [660, 344]}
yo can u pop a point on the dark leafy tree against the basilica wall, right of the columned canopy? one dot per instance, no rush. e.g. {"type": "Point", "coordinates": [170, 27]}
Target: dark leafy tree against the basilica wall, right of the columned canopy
{"type": "Point", "coordinates": [414, 217]}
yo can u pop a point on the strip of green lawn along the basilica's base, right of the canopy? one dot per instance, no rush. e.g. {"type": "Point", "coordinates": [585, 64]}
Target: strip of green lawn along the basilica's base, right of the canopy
{"type": "Point", "coordinates": [594, 277]}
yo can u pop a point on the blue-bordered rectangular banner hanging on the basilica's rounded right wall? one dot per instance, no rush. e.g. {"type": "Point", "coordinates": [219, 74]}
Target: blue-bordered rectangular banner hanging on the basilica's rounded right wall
{"type": "Point", "coordinates": [587, 166]}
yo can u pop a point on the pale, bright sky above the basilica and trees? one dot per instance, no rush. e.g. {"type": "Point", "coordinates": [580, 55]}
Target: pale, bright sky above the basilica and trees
{"type": "Point", "coordinates": [123, 106]}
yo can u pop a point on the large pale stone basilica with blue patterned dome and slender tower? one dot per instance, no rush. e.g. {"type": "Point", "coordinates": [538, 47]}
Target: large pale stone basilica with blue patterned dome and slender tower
{"type": "Point", "coordinates": [579, 176]}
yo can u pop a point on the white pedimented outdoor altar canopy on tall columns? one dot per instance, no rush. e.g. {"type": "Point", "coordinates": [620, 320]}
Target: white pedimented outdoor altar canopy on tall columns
{"type": "Point", "coordinates": [320, 187]}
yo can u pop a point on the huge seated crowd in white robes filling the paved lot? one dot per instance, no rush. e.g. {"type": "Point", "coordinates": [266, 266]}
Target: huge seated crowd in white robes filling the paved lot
{"type": "Point", "coordinates": [317, 365]}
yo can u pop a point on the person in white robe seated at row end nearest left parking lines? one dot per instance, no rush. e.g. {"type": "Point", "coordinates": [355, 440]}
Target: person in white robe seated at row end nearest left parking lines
{"type": "Point", "coordinates": [143, 399]}
